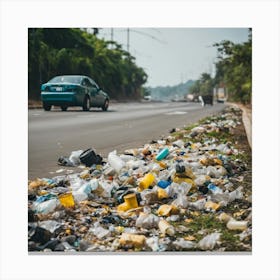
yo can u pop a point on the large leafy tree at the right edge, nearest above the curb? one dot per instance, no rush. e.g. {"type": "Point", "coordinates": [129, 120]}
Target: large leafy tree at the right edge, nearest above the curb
{"type": "Point", "coordinates": [234, 68]}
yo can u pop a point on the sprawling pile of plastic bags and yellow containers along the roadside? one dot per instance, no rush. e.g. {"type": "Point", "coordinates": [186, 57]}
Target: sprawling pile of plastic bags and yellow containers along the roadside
{"type": "Point", "coordinates": [181, 193]}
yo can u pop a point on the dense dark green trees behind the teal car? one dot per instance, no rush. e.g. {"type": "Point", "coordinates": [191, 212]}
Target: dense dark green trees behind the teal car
{"type": "Point", "coordinates": [62, 51]}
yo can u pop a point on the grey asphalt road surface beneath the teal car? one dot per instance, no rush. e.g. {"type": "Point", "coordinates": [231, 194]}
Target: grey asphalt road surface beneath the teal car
{"type": "Point", "coordinates": [125, 125]}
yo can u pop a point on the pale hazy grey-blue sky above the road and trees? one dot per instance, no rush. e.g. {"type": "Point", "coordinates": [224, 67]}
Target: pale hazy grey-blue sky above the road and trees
{"type": "Point", "coordinates": [171, 56]}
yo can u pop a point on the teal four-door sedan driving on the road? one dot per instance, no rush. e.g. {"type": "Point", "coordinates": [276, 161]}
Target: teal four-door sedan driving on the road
{"type": "Point", "coordinates": [73, 90]}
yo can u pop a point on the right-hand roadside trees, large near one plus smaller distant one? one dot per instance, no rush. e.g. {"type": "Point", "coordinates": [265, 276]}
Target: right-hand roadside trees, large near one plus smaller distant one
{"type": "Point", "coordinates": [233, 72]}
